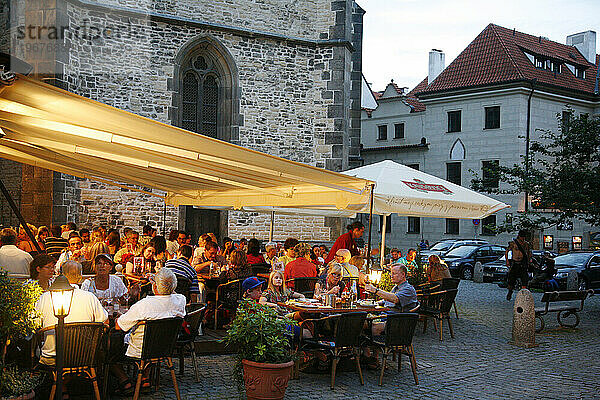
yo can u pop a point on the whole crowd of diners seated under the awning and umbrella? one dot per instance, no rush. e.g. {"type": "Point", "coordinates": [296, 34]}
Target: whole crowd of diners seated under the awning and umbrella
{"type": "Point", "coordinates": [106, 256]}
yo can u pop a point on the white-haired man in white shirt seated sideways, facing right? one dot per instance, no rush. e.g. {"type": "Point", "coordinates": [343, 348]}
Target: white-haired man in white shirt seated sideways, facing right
{"type": "Point", "coordinates": [164, 304]}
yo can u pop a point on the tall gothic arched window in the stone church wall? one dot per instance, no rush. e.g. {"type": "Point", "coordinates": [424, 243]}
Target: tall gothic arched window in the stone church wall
{"type": "Point", "coordinates": [200, 96]}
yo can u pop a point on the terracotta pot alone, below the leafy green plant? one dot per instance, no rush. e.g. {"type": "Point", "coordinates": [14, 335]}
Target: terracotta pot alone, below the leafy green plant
{"type": "Point", "coordinates": [266, 381]}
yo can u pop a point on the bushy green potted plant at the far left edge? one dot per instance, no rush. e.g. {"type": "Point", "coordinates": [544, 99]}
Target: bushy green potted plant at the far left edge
{"type": "Point", "coordinates": [18, 318]}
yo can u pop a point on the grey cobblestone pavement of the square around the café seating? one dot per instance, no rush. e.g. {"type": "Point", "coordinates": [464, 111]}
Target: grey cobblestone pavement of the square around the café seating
{"type": "Point", "coordinates": [478, 363]}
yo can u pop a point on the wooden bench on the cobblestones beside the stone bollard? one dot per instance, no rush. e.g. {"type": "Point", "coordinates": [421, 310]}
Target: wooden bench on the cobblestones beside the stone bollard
{"type": "Point", "coordinates": [565, 309]}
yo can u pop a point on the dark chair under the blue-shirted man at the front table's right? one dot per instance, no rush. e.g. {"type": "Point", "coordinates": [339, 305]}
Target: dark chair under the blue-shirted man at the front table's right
{"type": "Point", "coordinates": [397, 339]}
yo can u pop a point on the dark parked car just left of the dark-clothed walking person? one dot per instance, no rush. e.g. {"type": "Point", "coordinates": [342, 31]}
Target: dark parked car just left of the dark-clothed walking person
{"type": "Point", "coordinates": [461, 260]}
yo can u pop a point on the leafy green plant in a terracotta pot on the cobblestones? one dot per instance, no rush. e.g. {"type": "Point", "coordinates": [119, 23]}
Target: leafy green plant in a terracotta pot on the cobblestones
{"type": "Point", "coordinates": [263, 350]}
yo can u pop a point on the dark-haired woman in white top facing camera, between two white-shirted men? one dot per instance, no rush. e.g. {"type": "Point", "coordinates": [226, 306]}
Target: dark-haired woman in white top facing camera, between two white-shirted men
{"type": "Point", "coordinates": [104, 286]}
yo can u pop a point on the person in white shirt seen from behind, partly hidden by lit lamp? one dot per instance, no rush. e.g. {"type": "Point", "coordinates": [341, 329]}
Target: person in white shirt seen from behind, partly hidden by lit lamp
{"type": "Point", "coordinates": [85, 307]}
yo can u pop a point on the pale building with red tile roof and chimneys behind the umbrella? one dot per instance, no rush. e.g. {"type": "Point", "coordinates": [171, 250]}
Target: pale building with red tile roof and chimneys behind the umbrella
{"type": "Point", "coordinates": [478, 110]}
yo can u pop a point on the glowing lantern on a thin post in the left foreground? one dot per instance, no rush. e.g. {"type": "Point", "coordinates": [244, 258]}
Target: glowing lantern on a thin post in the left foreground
{"type": "Point", "coordinates": [61, 294]}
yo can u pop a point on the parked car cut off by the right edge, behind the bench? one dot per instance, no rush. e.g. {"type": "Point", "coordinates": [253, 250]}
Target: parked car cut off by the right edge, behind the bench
{"type": "Point", "coordinates": [587, 265]}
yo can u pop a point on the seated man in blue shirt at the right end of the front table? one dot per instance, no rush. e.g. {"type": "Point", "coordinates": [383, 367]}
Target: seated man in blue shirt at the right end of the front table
{"type": "Point", "coordinates": [403, 296]}
